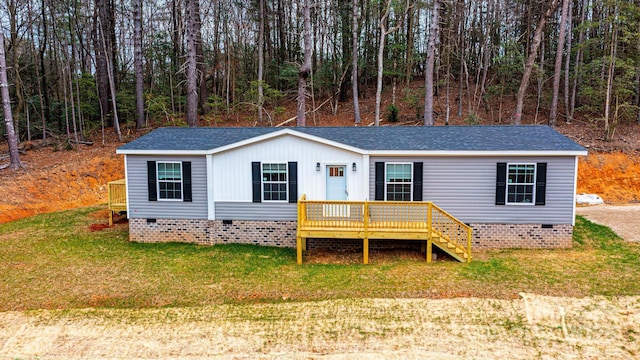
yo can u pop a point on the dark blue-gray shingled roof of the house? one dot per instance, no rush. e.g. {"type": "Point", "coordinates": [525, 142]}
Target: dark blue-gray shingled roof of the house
{"type": "Point", "coordinates": [391, 138]}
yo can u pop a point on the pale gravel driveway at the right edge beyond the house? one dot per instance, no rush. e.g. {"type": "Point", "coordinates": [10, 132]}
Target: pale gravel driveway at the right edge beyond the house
{"type": "Point", "coordinates": [623, 219]}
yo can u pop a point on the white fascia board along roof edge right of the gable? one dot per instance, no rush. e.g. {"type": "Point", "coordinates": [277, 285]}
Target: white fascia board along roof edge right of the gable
{"type": "Point", "coordinates": [474, 153]}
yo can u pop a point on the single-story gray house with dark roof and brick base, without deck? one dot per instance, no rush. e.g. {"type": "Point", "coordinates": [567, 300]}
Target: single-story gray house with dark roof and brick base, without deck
{"type": "Point", "coordinates": [514, 185]}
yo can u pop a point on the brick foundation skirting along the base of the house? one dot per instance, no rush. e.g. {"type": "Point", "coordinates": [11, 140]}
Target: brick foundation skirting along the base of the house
{"type": "Point", "coordinates": [283, 234]}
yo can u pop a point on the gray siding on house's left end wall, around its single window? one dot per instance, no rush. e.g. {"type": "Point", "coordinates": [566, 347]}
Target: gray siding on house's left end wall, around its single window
{"type": "Point", "coordinates": [141, 207]}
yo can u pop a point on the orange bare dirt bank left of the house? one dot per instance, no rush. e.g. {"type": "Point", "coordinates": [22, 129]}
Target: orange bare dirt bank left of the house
{"type": "Point", "coordinates": [54, 180]}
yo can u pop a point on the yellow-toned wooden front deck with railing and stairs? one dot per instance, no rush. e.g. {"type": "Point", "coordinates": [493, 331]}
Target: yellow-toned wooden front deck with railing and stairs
{"type": "Point", "coordinates": [389, 220]}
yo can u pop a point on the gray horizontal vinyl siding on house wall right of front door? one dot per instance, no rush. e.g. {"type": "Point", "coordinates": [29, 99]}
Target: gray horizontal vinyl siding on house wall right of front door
{"type": "Point", "coordinates": [466, 188]}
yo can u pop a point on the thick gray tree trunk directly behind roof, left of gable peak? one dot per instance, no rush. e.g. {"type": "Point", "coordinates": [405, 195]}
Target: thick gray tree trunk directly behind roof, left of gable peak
{"type": "Point", "coordinates": [192, 76]}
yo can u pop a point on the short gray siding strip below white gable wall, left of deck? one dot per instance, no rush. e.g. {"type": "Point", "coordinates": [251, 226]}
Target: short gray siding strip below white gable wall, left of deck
{"type": "Point", "coordinates": [255, 211]}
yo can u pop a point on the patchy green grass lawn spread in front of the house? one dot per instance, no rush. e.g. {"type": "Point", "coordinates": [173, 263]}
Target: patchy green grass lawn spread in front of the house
{"type": "Point", "coordinates": [53, 261]}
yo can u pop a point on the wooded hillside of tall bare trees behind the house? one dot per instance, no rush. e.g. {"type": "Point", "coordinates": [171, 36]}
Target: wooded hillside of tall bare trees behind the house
{"type": "Point", "coordinates": [77, 66]}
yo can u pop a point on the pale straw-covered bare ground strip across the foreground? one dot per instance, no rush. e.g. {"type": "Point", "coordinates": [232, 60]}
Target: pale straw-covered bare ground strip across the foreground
{"type": "Point", "coordinates": [529, 327]}
